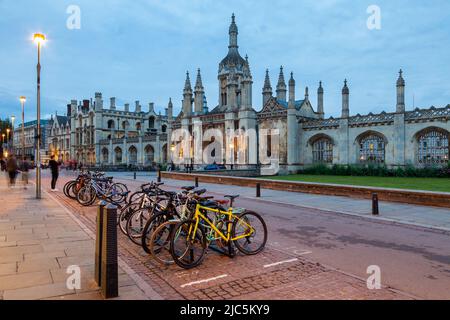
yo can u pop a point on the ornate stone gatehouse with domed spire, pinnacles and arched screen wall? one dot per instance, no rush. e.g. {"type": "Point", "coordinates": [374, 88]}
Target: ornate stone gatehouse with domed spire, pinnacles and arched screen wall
{"type": "Point", "coordinates": [300, 134]}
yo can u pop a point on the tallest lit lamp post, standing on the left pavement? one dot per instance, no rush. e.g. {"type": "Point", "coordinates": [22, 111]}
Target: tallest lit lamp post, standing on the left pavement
{"type": "Point", "coordinates": [39, 40]}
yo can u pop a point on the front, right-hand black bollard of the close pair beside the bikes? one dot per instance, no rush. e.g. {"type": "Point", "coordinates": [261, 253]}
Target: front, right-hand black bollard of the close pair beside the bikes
{"type": "Point", "coordinates": [109, 269]}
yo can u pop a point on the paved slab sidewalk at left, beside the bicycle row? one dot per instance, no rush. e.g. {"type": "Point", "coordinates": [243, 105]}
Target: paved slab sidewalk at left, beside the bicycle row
{"type": "Point", "coordinates": [39, 239]}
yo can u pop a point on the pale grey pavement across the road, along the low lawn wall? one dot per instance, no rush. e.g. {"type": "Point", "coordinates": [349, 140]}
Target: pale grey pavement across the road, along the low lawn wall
{"type": "Point", "coordinates": [422, 216]}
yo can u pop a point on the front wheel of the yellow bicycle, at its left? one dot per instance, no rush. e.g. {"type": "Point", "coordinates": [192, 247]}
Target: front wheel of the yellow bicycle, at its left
{"type": "Point", "coordinates": [188, 250]}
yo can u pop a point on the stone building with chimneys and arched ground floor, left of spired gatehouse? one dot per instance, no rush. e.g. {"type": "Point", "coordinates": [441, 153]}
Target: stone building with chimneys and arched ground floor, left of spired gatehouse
{"type": "Point", "coordinates": [110, 137]}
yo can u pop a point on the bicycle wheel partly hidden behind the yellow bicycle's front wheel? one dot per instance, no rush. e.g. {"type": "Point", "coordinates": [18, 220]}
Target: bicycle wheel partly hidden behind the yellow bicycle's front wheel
{"type": "Point", "coordinates": [160, 242]}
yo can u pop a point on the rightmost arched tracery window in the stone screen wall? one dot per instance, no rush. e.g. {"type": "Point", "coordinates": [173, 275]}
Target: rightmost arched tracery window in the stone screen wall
{"type": "Point", "coordinates": [433, 147]}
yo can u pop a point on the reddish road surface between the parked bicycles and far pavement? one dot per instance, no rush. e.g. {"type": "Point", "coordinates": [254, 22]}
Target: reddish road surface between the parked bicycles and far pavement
{"type": "Point", "coordinates": [413, 260]}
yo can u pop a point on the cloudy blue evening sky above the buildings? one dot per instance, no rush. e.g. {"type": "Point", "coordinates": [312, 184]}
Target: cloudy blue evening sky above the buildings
{"type": "Point", "coordinates": [141, 50]}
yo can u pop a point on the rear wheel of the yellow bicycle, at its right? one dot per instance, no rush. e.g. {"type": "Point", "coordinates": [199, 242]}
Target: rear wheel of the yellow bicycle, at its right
{"type": "Point", "coordinates": [253, 230]}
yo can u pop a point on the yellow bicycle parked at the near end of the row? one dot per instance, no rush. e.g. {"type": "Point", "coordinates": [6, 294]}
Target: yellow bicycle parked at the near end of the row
{"type": "Point", "coordinates": [190, 239]}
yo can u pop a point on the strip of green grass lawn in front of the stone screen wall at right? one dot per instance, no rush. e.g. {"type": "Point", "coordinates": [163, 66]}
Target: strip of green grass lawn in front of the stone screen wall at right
{"type": "Point", "coordinates": [429, 184]}
